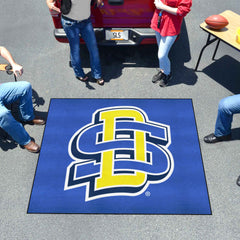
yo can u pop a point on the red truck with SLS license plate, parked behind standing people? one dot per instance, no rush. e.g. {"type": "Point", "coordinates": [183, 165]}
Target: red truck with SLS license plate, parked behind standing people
{"type": "Point", "coordinates": [117, 22]}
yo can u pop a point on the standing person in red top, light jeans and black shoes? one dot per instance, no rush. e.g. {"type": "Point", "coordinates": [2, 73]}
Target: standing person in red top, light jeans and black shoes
{"type": "Point", "coordinates": [166, 21]}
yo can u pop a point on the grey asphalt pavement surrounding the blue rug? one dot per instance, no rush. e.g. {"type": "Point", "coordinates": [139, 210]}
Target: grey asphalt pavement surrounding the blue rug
{"type": "Point", "coordinates": [27, 32]}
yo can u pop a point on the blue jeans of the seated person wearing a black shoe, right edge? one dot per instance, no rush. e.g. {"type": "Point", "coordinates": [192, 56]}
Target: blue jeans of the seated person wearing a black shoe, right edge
{"type": "Point", "coordinates": [226, 108]}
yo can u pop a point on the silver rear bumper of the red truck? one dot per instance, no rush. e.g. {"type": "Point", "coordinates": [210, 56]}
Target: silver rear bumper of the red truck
{"type": "Point", "coordinates": [137, 36]}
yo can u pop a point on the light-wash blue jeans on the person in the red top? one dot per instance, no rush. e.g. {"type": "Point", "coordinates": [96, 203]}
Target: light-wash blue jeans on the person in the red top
{"type": "Point", "coordinates": [164, 46]}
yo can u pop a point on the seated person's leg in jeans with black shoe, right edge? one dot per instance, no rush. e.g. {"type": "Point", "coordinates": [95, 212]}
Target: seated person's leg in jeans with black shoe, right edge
{"type": "Point", "coordinates": [227, 107]}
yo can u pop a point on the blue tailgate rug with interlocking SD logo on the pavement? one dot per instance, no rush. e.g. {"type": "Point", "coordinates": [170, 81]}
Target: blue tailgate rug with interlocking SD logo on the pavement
{"type": "Point", "coordinates": [120, 156]}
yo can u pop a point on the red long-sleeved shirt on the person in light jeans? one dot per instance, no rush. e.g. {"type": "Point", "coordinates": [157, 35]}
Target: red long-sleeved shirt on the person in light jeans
{"type": "Point", "coordinates": [171, 24]}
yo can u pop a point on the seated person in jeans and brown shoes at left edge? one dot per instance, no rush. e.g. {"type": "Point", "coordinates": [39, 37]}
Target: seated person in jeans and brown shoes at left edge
{"type": "Point", "coordinates": [17, 91]}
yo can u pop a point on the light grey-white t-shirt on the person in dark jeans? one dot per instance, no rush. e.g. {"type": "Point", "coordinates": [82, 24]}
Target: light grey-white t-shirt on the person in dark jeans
{"type": "Point", "coordinates": [80, 10]}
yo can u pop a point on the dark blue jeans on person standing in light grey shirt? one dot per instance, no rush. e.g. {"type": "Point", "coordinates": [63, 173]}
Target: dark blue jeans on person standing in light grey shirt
{"type": "Point", "coordinates": [73, 30]}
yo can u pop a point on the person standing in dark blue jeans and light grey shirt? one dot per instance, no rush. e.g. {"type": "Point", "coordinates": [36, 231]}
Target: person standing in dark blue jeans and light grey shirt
{"type": "Point", "coordinates": [75, 24]}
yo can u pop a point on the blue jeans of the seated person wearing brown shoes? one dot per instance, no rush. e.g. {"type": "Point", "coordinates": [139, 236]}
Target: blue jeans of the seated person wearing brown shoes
{"type": "Point", "coordinates": [9, 93]}
